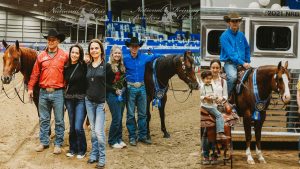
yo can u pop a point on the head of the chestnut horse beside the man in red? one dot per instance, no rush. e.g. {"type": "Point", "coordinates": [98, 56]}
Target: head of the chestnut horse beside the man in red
{"type": "Point", "coordinates": [11, 61]}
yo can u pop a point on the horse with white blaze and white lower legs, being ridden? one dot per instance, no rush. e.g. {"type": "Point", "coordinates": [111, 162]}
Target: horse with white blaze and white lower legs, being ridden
{"type": "Point", "coordinates": [268, 78]}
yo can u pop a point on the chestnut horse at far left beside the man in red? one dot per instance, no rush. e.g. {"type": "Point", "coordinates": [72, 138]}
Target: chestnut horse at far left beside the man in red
{"type": "Point", "coordinates": [19, 59]}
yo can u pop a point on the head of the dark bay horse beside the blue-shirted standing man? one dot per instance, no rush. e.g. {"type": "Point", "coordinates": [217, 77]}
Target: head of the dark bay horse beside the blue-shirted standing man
{"type": "Point", "coordinates": [185, 69]}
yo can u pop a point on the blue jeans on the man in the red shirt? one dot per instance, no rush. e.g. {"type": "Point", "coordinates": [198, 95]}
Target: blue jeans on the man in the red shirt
{"type": "Point", "coordinates": [47, 102]}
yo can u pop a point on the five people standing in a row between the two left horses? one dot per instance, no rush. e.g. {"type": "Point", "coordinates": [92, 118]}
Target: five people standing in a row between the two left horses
{"type": "Point", "coordinates": [83, 85]}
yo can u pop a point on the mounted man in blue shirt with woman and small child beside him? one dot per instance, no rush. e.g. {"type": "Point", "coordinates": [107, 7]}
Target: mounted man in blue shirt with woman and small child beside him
{"type": "Point", "coordinates": [235, 51]}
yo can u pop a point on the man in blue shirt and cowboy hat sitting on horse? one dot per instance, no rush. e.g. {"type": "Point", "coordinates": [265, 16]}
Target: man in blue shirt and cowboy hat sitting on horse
{"type": "Point", "coordinates": [235, 49]}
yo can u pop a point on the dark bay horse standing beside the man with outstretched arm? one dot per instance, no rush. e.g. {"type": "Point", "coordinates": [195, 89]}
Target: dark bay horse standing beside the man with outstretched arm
{"type": "Point", "coordinates": [166, 67]}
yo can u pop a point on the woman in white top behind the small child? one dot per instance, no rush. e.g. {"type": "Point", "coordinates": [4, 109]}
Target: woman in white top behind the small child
{"type": "Point", "coordinates": [219, 86]}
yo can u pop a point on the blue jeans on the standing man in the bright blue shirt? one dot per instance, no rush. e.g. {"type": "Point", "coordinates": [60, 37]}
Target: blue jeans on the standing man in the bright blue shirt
{"type": "Point", "coordinates": [136, 97]}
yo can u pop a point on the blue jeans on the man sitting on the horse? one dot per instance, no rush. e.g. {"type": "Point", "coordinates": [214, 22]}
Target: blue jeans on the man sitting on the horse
{"type": "Point", "coordinates": [231, 73]}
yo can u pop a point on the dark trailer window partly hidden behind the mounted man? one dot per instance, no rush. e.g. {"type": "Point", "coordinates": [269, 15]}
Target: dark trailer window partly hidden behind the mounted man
{"type": "Point", "coordinates": [213, 42]}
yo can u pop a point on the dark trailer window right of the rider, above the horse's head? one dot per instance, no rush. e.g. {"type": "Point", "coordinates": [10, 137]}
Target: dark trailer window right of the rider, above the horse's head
{"type": "Point", "coordinates": [273, 38]}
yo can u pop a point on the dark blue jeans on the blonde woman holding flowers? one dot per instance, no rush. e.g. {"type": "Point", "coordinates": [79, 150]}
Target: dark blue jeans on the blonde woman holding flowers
{"type": "Point", "coordinates": [116, 108]}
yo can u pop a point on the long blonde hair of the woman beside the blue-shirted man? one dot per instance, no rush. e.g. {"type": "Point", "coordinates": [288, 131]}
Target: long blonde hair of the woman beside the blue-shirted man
{"type": "Point", "coordinates": [114, 64]}
